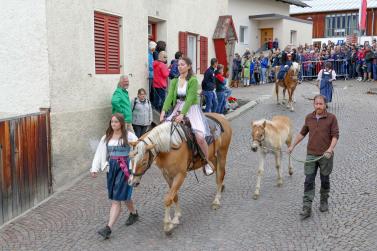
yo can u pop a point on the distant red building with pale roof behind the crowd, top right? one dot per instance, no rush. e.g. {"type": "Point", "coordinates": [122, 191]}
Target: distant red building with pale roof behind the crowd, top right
{"type": "Point", "coordinates": [335, 20]}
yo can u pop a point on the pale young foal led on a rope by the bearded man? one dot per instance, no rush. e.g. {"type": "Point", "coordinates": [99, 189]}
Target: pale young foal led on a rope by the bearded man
{"type": "Point", "coordinates": [269, 136]}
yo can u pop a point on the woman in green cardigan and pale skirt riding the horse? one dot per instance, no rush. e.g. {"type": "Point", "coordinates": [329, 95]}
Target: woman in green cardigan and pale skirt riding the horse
{"type": "Point", "coordinates": [183, 96]}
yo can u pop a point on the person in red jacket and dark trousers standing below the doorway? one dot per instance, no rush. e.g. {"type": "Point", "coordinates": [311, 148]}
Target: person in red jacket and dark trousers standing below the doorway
{"type": "Point", "coordinates": [160, 80]}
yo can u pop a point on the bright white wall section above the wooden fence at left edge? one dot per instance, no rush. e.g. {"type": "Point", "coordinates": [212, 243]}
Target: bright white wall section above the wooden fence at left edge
{"type": "Point", "coordinates": [24, 86]}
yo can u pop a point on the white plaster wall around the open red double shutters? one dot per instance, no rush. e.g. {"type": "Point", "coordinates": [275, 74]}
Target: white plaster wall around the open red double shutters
{"type": "Point", "coordinates": [194, 16]}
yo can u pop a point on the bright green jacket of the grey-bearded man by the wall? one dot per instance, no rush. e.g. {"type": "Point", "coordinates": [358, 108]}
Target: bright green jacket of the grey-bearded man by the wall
{"type": "Point", "coordinates": [121, 103]}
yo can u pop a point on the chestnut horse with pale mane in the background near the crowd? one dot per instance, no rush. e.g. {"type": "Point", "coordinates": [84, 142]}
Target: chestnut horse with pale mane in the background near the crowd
{"type": "Point", "coordinates": [289, 83]}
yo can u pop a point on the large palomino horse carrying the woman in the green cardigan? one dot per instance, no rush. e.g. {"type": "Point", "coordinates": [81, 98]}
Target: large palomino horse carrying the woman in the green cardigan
{"type": "Point", "coordinates": [167, 145]}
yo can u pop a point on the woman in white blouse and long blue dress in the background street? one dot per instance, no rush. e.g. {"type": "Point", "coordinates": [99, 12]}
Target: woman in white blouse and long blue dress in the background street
{"type": "Point", "coordinates": [326, 77]}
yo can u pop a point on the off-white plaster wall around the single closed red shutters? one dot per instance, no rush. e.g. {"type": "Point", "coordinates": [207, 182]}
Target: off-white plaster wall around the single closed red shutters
{"type": "Point", "coordinates": [80, 98]}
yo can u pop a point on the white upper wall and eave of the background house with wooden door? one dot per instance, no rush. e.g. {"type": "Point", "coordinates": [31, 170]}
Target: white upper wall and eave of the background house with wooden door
{"type": "Point", "coordinates": [242, 9]}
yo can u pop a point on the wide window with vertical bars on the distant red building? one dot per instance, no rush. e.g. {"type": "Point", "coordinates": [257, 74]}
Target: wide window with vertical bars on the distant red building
{"type": "Point", "coordinates": [341, 25]}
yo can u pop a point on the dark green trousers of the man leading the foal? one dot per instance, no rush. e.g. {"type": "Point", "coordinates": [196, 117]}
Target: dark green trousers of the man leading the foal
{"type": "Point", "coordinates": [325, 166]}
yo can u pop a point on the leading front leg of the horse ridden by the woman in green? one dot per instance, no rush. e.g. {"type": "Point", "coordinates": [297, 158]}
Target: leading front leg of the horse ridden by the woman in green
{"type": "Point", "coordinates": [169, 199]}
